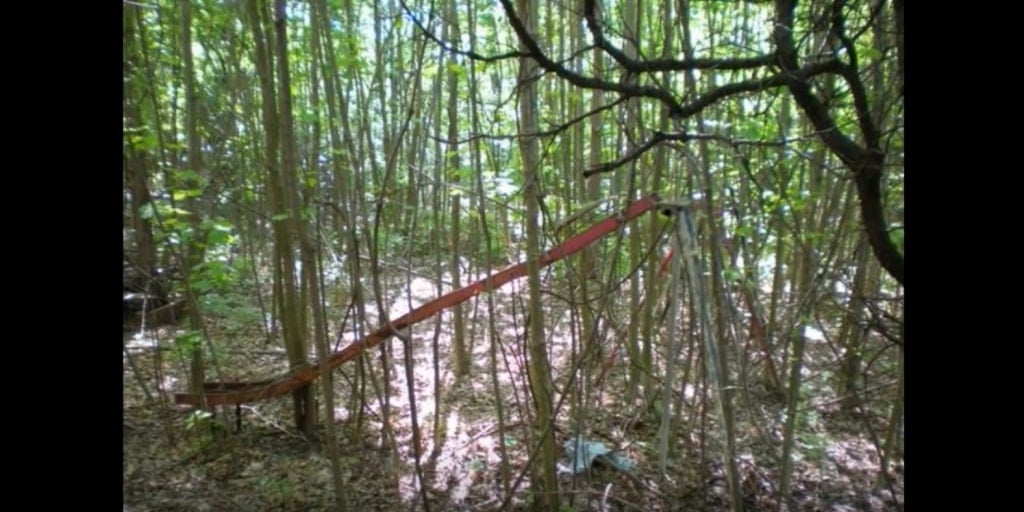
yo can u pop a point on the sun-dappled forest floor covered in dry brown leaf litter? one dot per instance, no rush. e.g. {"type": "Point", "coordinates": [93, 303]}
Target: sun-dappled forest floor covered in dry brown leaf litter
{"type": "Point", "coordinates": [176, 461]}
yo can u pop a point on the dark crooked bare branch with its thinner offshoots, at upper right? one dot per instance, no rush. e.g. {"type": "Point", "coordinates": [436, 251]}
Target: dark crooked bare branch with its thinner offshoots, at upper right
{"type": "Point", "coordinates": [785, 70]}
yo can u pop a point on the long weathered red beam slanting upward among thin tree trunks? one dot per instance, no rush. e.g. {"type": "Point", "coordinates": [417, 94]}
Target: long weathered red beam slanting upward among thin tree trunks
{"type": "Point", "coordinates": [236, 393]}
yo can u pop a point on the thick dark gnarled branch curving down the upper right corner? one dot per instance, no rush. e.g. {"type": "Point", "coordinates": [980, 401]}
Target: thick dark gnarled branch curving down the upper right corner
{"type": "Point", "coordinates": [865, 163]}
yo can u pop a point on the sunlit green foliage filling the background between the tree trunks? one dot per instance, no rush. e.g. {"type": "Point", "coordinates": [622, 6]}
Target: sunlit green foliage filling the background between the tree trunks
{"type": "Point", "coordinates": [385, 122]}
